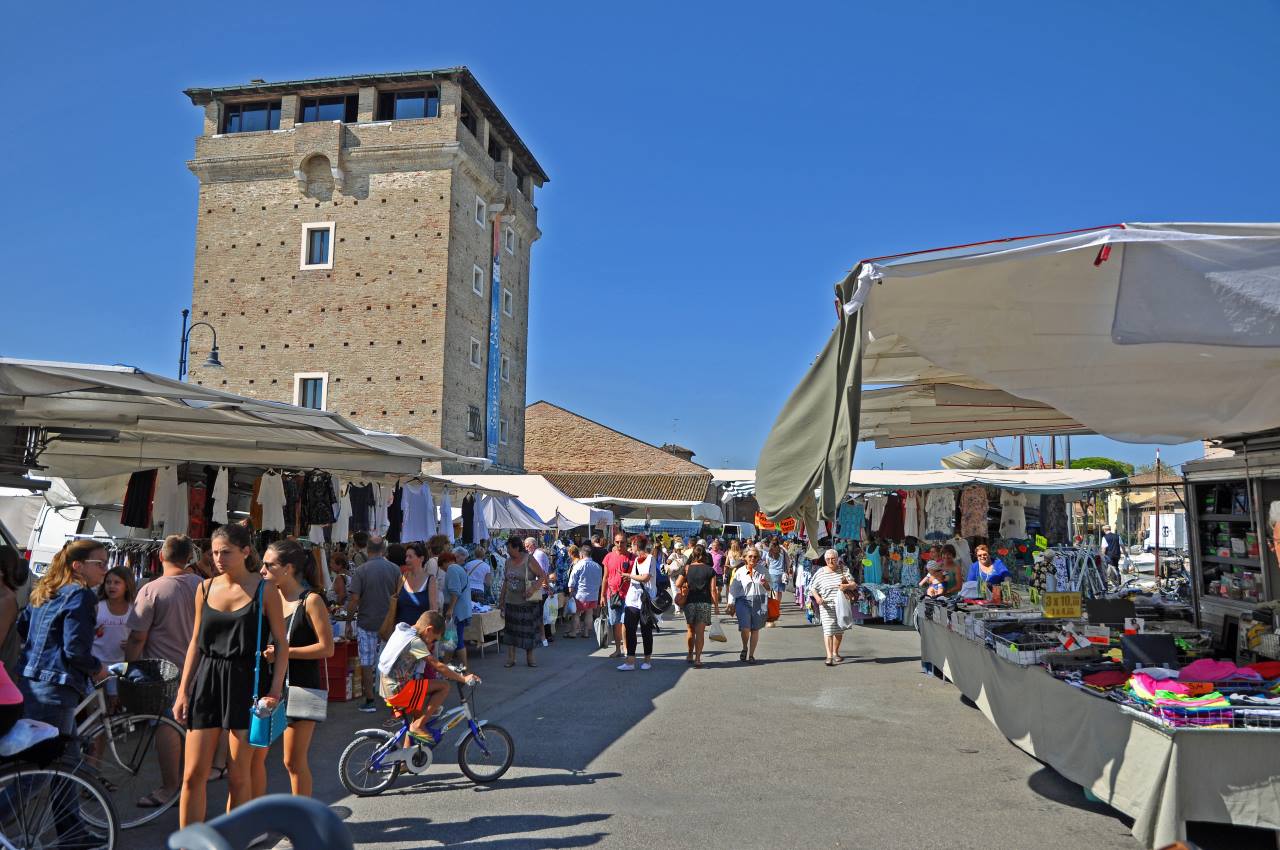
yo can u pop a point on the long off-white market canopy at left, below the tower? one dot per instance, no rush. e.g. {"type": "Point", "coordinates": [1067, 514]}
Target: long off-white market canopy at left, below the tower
{"type": "Point", "coordinates": [107, 421]}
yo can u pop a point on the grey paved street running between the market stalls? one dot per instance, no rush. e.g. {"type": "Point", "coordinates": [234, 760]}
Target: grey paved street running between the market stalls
{"type": "Point", "coordinates": [787, 753]}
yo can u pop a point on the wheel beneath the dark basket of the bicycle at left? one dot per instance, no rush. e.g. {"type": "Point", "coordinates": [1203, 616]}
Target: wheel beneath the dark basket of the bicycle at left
{"type": "Point", "coordinates": [124, 756]}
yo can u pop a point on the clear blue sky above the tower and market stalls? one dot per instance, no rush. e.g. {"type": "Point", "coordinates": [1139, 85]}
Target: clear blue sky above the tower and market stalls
{"type": "Point", "coordinates": [715, 167]}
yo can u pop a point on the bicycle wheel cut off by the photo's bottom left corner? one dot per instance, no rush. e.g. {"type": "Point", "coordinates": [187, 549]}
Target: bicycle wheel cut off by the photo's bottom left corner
{"type": "Point", "coordinates": [56, 810]}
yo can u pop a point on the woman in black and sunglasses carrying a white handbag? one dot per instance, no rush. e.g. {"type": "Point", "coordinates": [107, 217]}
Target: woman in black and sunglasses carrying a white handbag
{"type": "Point", "coordinates": [295, 574]}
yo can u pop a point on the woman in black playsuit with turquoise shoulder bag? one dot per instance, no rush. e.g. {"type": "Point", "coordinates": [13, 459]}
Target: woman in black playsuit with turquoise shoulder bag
{"type": "Point", "coordinates": [217, 688]}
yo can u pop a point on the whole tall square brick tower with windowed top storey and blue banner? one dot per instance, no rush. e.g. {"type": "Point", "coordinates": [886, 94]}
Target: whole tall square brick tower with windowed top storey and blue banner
{"type": "Point", "coordinates": [363, 245]}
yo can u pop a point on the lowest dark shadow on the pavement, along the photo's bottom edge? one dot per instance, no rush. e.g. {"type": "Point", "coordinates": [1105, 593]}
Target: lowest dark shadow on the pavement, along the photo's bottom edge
{"type": "Point", "coordinates": [481, 834]}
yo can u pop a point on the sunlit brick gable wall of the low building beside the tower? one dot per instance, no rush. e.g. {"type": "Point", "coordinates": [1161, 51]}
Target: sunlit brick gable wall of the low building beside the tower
{"type": "Point", "coordinates": [560, 441]}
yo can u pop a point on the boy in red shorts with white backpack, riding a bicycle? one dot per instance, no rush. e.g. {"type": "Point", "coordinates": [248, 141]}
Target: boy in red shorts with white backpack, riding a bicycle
{"type": "Point", "coordinates": [413, 680]}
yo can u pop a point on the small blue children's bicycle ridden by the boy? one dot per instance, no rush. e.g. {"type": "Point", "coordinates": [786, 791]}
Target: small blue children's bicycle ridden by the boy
{"type": "Point", "coordinates": [377, 757]}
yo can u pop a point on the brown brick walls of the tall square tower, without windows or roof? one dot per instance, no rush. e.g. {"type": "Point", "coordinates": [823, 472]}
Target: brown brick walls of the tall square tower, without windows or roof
{"type": "Point", "coordinates": [392, 322]}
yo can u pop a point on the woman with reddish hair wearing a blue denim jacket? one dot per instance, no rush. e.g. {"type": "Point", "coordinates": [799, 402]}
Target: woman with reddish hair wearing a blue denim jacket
{"type": "Point", "coordinates": [58, 628]}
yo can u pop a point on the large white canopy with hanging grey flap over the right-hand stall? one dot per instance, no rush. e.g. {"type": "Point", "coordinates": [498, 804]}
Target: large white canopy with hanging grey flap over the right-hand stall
{"type": "Point", "coordinates": [1139, 332]}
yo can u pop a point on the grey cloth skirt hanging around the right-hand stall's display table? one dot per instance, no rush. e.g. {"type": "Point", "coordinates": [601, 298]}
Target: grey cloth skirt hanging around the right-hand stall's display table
{"type": "Point", "coordinates": [1162, 778]}
